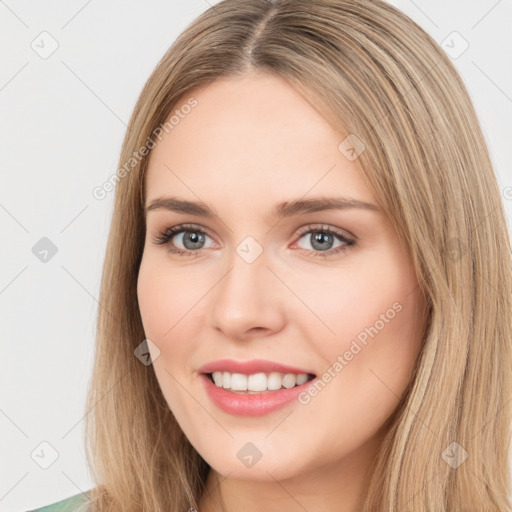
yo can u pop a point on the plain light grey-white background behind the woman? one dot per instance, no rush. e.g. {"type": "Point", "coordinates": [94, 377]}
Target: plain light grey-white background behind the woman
{"type": "Point", "coordinates": [62, 125]}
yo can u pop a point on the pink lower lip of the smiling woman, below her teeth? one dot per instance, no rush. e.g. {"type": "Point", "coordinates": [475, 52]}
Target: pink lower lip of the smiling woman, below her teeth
{"type": "Point", "coordinates": [256, 404]}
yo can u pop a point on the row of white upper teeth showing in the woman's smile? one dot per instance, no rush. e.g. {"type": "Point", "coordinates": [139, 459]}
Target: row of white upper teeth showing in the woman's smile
{"type": "Point", "coordinates": [258, 382]}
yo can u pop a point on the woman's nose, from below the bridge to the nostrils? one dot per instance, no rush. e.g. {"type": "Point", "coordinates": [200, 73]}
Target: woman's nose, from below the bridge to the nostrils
{"type": "Point", "coordinates": [248, 301]}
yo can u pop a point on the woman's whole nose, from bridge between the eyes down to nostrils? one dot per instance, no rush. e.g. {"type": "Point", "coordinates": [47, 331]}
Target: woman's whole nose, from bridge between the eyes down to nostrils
{"type": "Point", "coordinates": [247, 295]}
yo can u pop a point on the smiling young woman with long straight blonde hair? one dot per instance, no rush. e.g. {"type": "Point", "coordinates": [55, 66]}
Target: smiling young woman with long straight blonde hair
{"type": "Point", "coordinates": [305, 302]}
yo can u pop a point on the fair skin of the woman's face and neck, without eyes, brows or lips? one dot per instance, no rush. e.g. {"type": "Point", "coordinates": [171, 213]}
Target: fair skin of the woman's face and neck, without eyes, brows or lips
{"type": "Point", "coordinates": [249, 144]}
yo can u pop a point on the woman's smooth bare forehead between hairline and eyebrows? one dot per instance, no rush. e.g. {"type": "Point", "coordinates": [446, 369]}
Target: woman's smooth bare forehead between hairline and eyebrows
{"type": "Point", "coordinates": [250, 139]}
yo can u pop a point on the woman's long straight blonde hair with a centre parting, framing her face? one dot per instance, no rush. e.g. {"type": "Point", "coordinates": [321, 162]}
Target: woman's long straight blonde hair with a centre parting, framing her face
{"type": "Point", "coordinates": [374, 73]}
